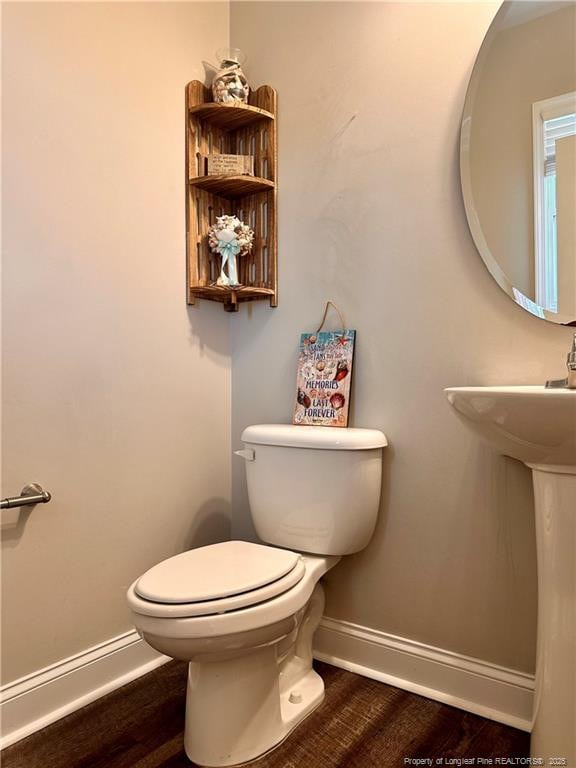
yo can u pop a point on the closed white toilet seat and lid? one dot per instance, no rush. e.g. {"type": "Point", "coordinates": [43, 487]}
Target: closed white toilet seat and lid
{"type": "Point", "coordinates": [216, 579]}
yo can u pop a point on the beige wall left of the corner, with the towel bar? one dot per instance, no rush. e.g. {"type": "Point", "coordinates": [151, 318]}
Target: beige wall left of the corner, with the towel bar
{"type": "Point", "coordinates": [116, 395]}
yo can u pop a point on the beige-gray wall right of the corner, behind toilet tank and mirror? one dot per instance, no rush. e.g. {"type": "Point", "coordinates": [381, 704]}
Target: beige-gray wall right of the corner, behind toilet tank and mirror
{"type": "Point", "coordinates": [370, 97]}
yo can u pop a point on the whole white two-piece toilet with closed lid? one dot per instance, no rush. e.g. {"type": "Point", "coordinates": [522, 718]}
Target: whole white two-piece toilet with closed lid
{"type": "Point", "coordinates": [244, 614]}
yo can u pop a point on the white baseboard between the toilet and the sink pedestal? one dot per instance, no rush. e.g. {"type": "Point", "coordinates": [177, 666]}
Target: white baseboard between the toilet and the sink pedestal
{"type": "Point", "coordinates": [485, 689]}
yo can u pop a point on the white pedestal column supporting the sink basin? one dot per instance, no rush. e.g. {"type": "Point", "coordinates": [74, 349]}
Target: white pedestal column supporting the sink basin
{"type": "Point", "coordinates": [554, 731]}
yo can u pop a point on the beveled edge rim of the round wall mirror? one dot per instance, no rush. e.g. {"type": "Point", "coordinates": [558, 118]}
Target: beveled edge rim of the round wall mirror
{"type": "Point", "coordinates": [474, 225]}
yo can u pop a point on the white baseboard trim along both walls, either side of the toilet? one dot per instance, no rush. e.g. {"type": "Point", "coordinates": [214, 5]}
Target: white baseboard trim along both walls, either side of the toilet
{"type": "Point", "coordinates": [500, 694]}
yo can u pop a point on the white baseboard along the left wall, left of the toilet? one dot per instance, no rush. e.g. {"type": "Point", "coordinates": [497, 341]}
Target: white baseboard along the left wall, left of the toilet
{"type": "Point", "coordinates": [35, 701]}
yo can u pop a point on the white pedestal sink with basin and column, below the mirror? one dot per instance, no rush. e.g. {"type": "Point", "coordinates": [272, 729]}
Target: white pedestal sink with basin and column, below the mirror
{"type": "Point", "coordinates": [538, 426]}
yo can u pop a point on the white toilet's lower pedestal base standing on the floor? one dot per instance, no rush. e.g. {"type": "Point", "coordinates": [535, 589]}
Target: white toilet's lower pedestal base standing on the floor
{"type": "Point", "coordinates": [241, 707]}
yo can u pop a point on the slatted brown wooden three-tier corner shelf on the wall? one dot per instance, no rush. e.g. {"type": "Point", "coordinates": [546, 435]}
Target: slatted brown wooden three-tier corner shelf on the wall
{"type": "Point", "coordinates": [243, 129]}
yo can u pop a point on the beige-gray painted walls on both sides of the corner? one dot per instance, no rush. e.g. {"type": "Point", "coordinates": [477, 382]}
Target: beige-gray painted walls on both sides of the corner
{"type": "Point", "coordinates": [129, 395]}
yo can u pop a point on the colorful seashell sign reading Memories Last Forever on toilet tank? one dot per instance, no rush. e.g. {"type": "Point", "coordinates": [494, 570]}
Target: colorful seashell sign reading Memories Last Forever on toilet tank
{"type": "Point", "coordinates": [324, 375]}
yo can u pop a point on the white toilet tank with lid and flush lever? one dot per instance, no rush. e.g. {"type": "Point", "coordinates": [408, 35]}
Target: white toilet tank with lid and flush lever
{"type": "Point", "coordinates": [314, 489]}
